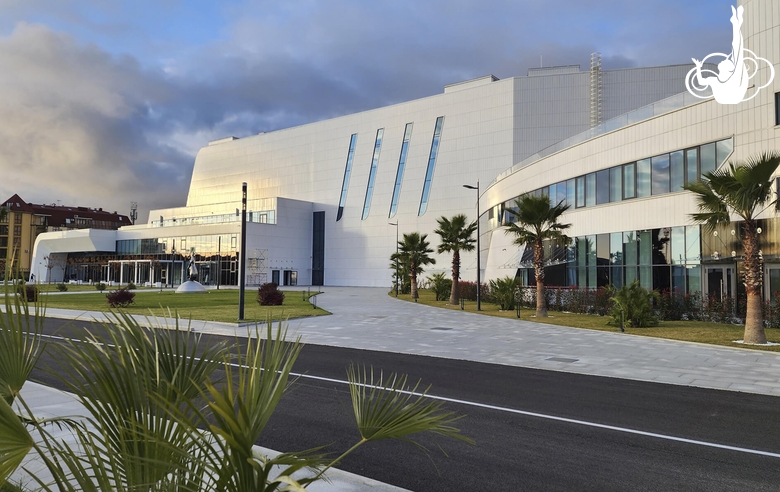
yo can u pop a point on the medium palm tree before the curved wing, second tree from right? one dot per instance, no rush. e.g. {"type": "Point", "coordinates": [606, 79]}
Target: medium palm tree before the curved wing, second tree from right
{"type": "Point", "coordinates": [537, 220]}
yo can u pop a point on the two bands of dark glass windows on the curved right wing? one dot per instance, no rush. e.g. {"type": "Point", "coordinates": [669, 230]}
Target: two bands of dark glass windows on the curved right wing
{"type": "Point", "coordinates": [664, 259]}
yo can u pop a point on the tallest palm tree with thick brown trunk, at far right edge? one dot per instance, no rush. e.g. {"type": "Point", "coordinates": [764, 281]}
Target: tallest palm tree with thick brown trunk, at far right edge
{"type": "Point", "coordinates": [742, 189]}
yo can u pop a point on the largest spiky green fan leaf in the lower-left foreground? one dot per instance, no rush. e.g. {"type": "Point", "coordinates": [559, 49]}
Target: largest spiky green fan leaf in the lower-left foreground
{"type": "Point", "coordinates": [126, 386]}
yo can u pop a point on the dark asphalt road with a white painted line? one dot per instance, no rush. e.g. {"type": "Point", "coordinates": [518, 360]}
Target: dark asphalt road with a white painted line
{"type": "Point", "coordinates": [535, 430]}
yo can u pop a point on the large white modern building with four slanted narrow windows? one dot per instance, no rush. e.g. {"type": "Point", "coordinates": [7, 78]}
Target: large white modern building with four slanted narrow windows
{"type": "Point", "coordinates": [324, 198]}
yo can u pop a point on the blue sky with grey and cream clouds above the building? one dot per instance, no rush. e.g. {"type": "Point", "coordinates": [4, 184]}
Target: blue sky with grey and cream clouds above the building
{"type": "Point", "coordinates": [106, 102]}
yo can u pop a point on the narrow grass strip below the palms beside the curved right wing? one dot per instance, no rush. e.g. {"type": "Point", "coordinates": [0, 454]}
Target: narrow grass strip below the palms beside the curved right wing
{"type": "Point", "coordinates": [691, 331]}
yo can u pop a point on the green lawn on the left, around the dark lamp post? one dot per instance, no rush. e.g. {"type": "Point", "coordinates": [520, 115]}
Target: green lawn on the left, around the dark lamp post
{"type": "Point", "coordinates": [216, 305]}
